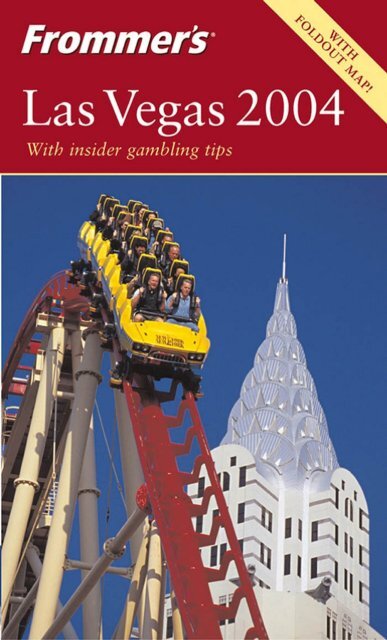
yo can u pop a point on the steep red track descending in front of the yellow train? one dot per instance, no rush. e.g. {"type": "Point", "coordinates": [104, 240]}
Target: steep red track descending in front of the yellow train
{"type": "Point", "coordinates": [173, 510]}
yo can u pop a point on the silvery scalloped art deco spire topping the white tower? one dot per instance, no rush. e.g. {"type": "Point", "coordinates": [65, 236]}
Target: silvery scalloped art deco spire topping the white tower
{"type": "Point", "coordinates": [278, 416]}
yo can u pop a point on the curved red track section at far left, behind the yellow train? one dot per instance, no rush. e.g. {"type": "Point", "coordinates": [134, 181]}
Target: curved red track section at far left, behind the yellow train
{"type": "Point", "coordinates": [56, 292]}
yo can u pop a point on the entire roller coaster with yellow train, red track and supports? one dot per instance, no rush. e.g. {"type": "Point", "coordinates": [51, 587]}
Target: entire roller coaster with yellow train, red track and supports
{"type": "Point", "coordinates": [51, 377]}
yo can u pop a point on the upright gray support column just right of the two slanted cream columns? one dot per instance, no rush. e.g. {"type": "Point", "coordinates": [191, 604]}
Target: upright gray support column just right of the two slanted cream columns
{"type": "Point", "coordinates": [88, 495]}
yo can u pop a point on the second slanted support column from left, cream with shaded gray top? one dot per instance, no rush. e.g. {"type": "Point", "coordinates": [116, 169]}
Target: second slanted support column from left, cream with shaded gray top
{"type": "Point", "coordinates": [88, 378]}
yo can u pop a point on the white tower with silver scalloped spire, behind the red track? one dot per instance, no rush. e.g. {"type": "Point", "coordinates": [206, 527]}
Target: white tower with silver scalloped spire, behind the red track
{"type": "Point", "coordinates": [301, 519]}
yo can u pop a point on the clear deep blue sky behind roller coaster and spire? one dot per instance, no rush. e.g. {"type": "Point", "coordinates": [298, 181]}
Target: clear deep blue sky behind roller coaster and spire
{"type": "Point", "coordinates": [230, 228]}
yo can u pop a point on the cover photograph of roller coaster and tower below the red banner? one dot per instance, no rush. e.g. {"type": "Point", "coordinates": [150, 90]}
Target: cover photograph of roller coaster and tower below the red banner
{"type": "Point", "coordinates": [267, 302]}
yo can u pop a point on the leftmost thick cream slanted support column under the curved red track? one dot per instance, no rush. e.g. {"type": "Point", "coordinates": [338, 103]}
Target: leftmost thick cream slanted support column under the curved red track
{"type": "Point", "coordinates": [27, 483]}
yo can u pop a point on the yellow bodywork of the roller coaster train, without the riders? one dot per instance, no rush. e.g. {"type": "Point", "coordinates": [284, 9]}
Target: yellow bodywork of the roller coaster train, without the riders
{"type": "Point", "coordinates": [148, 342]}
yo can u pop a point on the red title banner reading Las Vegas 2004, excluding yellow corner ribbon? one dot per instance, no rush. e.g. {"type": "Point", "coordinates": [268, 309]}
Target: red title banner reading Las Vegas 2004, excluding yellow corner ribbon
{"type": "Point", "coordinates": [187, 88]}
